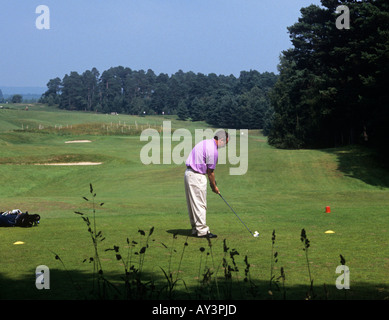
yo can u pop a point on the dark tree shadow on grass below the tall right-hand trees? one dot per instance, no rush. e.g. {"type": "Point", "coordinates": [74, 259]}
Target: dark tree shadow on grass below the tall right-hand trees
{"type": "Point", "coordinates": [361, 163]}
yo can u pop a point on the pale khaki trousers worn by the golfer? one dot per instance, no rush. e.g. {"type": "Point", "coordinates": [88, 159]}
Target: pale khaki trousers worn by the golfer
{"type": "Point", "coordinates": [196, 199]}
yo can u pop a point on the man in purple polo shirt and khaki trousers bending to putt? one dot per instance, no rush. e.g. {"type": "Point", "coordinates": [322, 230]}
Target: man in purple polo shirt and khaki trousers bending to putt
{"type": "Point", "coordinates": [201, 162]}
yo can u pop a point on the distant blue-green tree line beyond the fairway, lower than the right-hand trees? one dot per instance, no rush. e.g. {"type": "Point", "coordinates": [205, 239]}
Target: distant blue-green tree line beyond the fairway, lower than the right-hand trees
{"type": "Point", "coordinates": [225, 101]}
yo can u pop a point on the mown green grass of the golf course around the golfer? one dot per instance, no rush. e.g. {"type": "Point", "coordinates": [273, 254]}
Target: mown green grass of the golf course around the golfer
{"type": "Point", "coordinates": [283, 190]}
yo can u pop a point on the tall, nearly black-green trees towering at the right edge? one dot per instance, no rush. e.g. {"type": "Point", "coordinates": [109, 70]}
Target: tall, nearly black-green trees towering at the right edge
{"type": "Point", "coordinates": [331, 89]}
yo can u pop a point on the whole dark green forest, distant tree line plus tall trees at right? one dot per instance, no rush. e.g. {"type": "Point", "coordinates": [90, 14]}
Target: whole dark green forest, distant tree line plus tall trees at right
{"type": "Point", "coordinates": [330, 90]}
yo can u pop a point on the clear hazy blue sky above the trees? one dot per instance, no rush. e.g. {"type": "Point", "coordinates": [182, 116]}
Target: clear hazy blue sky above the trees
{"type": "Point", "coordinates": [207, 36]}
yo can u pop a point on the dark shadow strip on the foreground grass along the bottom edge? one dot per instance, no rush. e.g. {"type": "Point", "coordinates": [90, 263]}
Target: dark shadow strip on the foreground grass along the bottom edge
{"type": "Point", "coordinates": [81, 284]}
